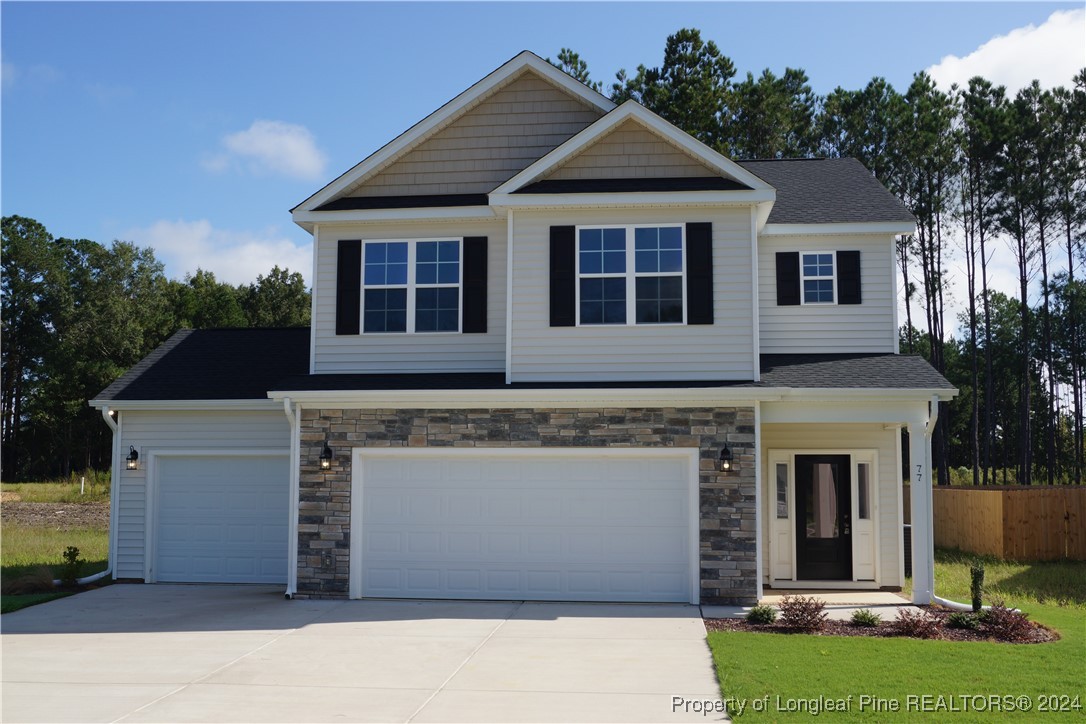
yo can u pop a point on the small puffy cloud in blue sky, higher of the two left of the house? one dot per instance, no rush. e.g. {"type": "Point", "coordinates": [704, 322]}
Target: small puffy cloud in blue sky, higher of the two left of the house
{"type": "Point", "coordinates": [271, 147]}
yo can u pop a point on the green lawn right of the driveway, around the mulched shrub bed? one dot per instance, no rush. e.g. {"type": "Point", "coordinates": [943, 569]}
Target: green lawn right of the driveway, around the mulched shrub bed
{"type": "Point", "coordinates": [795, 670]}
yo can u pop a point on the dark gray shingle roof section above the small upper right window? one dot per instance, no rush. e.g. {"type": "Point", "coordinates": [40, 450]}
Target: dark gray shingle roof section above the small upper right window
{"type": "Point", "coordinates": [827, 192]}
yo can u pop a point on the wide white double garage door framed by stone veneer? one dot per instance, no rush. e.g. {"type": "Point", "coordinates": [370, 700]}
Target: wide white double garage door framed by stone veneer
{"type": "Point", "coordinates": [558, 526]}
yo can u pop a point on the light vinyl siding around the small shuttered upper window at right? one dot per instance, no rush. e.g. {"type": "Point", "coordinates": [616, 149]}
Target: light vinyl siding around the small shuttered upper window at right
{"type": "Point", "coordinates": [829, 328]}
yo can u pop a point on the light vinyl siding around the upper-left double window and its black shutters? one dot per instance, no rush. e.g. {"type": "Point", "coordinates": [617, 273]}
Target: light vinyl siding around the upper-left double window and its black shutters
{"type": "Point", "coordinates": [409, 353]}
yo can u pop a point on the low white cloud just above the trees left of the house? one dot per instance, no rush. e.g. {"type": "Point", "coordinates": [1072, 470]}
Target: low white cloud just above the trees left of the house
{"type": "Point", "coordinates": [236, 258]}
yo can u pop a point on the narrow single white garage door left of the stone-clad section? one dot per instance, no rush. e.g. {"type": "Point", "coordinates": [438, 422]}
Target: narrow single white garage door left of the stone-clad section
{"type": "Point", "coordinates": [222, 519]}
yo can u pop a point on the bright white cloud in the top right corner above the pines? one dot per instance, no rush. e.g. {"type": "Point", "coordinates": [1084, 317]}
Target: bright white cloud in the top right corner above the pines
{"type": "Point", "coordinates": [1052, 53]}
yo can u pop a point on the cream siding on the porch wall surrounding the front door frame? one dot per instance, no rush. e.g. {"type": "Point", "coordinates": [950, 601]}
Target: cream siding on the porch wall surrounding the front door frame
{"type": "Point", "coordinates": [811, 438]}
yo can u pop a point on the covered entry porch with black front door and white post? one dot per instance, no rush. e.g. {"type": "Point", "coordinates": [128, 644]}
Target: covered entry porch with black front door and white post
{"type": "Point", "coordinates": [831, 478]}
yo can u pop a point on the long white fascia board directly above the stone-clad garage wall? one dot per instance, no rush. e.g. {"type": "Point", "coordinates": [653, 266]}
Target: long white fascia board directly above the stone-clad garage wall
{"type": "Point", "coordinates": [540, 398]}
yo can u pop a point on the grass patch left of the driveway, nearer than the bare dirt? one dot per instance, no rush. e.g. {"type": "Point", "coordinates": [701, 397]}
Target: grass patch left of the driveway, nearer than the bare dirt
{"type": "Point", "coordinates": [24, 549]}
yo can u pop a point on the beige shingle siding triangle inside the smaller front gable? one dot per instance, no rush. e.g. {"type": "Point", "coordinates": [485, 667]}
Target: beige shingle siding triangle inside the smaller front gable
{"type": "Point", "coordinates": [632, 151]}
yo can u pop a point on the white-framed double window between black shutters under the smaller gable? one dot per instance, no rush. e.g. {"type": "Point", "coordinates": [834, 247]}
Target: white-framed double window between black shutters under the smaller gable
{"type": "Point", "coordinates": [630, 275]}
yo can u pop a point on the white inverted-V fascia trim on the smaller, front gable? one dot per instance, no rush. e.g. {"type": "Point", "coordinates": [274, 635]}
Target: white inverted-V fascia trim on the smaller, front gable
{"type": "Point", "coordinates": [655, 123]}
